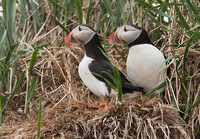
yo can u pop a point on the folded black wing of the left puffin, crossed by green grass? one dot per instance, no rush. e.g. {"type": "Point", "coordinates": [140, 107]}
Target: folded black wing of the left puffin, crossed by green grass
{"type": "Point", "coordinates": [101, 67]}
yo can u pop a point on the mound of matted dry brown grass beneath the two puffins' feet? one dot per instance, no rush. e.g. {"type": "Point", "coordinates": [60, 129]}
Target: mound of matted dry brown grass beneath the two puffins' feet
{"type": "Point", "coordinates": [73, 119]}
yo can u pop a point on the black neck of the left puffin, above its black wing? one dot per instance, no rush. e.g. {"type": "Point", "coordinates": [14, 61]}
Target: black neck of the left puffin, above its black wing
{"type": "Point", "coordinates": [93, 48]}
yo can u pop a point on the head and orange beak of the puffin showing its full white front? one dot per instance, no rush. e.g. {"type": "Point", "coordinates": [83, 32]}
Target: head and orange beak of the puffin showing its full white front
{"type": "Point", "coordinates": [125, 34]}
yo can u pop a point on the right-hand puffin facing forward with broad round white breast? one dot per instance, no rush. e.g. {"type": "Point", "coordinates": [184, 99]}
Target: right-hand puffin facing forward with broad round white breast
{"type": "Point", "coordinates": [145, 63]}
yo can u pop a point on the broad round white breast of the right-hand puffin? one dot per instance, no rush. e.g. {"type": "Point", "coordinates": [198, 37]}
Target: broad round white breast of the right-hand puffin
{"type": "Point", "coordinates": [145, 66]}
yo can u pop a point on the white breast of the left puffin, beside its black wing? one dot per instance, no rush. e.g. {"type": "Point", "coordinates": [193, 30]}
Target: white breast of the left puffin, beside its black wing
{"type": "Point", "coordinates": [96, 86]}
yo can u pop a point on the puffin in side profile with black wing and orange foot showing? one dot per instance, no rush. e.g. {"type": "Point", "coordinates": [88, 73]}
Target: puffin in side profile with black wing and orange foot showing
{"type": "Point", "coordinates": [94, 61]}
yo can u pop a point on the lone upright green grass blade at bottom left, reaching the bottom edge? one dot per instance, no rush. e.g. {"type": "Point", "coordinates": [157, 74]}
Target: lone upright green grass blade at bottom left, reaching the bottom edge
{"type": "Point", "coordinates": [39, 116]}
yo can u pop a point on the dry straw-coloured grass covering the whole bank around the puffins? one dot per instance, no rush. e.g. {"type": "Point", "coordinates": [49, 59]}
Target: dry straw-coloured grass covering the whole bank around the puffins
{"type": "Point", "coordinates": [65, 113]}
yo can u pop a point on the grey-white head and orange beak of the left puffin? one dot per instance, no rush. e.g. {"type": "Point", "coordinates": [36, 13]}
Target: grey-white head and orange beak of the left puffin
{"type": "Point", "coordinates": [80, 35]}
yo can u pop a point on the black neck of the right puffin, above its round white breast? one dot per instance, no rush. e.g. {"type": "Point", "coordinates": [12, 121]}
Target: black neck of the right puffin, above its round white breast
{"type": "Point", "coordinates": [142, 39]}
